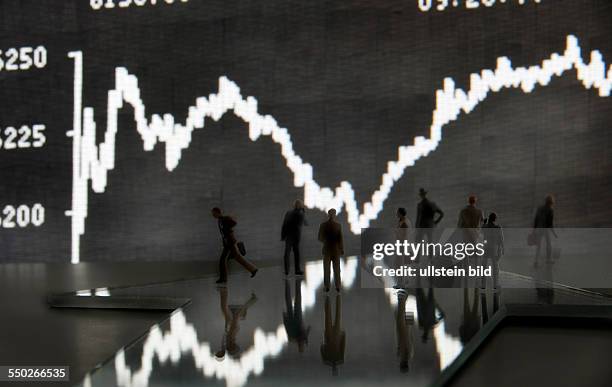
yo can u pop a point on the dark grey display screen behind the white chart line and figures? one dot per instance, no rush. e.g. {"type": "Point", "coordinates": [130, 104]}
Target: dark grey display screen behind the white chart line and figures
{"type": "Point", "coordinates": [351, 80]}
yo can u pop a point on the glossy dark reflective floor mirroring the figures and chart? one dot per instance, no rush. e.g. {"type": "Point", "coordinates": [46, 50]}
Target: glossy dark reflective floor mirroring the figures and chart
{"type": "Point", "coordinates": [278, 331]}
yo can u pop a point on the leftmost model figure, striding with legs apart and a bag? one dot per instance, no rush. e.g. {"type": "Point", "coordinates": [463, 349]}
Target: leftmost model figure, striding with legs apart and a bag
{"type": "Point", "coordinates": [226, 226]}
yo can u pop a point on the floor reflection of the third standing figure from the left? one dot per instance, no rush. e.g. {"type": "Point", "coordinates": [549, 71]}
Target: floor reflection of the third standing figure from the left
{"type": "Point", "coordinates": [332, 349]}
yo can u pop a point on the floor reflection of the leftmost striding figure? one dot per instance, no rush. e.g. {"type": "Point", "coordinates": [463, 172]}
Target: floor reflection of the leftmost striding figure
{"type": "Point", "coordinates": [232, 315]}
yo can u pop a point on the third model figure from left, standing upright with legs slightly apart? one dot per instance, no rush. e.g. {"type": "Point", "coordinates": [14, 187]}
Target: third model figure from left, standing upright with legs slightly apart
{"type": "Point", "coordinates": [330, 234]}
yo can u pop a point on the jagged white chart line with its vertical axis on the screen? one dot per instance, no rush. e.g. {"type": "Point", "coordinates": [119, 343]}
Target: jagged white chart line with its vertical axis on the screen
{"type": "Point", "coordinates": [91, 162]}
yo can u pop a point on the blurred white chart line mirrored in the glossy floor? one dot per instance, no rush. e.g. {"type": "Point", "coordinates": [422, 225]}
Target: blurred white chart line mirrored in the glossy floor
{"type": "Point", "coordinates": [182, 340]}
